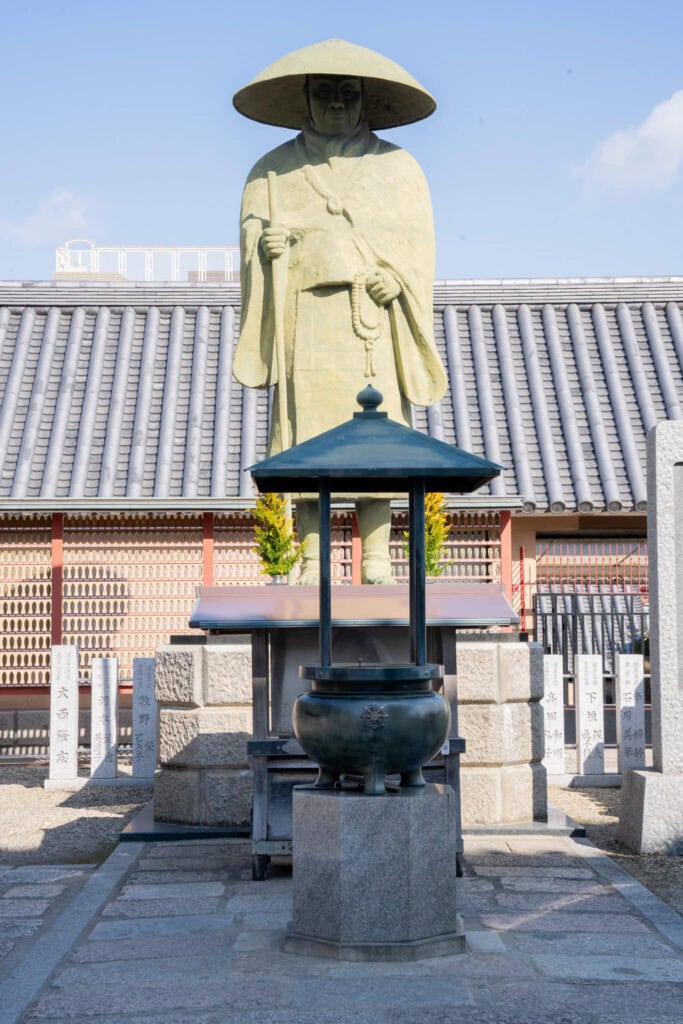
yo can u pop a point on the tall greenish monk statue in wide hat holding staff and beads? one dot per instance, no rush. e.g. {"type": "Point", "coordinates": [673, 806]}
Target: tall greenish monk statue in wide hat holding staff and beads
{"type": "Point", "coordinates": [337, 263]}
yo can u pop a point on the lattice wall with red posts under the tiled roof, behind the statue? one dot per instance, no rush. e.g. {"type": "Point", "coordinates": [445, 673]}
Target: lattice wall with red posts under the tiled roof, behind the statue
{"type": "Point", "coordinates": [120, 585]}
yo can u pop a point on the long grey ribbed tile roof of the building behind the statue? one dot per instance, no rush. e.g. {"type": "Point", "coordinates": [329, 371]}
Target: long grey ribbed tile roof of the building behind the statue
{"type": "Point", "coordinates": [123, 392]}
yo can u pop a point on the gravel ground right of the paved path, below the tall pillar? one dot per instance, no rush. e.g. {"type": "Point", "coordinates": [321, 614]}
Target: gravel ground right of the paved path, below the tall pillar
{"type": "Point", "coordinates": [599, 809]}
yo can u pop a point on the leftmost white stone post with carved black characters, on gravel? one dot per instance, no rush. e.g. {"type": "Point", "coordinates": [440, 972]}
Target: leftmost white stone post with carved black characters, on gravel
{"type": "Point", "coordinates": [64, 717]}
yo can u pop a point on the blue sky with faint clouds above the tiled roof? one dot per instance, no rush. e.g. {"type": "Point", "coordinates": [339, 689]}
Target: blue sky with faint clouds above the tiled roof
{"type": "Point", "coordinates": [557, 149]}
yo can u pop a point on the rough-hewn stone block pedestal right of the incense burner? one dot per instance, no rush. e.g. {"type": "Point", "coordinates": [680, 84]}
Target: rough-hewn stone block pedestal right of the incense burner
{"type": "Point", "coordinates": [500, 688]}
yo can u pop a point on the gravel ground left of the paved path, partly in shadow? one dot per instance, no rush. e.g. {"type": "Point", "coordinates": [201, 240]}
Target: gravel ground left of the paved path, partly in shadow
{"type": "Point", "coordinates": [44, 827]}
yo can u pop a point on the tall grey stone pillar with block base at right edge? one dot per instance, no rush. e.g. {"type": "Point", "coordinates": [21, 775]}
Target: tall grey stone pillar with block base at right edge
{"type": "Point", "coordinates": [653, 802]}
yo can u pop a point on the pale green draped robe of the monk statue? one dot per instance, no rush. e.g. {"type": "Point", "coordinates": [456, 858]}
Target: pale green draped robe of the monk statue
{"type": "Point", "coordinates": [352, 204]}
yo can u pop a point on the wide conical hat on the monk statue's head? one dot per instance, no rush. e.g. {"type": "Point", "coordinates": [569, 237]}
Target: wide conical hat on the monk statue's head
{"type": "Point", "coordinates": [277, 96]}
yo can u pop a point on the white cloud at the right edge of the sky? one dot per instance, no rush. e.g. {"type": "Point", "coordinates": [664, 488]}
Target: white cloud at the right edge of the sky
{"type": "Point", "coordinates": [648, 157]}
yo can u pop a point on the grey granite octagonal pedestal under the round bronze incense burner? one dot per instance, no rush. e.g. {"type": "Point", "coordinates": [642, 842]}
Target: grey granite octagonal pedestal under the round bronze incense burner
{"type": "Point", "coordinates": [375, 877]}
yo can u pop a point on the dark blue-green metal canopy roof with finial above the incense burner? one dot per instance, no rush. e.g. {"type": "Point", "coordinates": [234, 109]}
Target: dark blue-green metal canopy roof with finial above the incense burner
{"type": "Point", "coordinates": [371, 451]}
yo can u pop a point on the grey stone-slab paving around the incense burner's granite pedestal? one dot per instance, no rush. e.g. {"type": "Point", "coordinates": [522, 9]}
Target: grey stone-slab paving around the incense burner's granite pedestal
{"type": "Point", "coordinates": [587, 948]}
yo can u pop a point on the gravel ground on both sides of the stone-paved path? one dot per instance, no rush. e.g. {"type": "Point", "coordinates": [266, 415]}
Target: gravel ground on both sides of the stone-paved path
{"type": "Point", "coordinates": [46, 827]}
